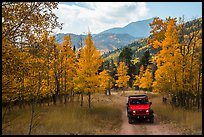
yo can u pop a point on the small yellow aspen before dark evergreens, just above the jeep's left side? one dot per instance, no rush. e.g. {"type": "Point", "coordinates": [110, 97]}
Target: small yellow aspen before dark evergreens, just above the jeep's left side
{"type": "Point", "coordinates": [123, 78]}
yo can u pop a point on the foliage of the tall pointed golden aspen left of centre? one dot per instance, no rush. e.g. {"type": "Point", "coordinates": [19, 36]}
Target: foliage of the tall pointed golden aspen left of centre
{"type": "Point", "coordinates": [86, 80]}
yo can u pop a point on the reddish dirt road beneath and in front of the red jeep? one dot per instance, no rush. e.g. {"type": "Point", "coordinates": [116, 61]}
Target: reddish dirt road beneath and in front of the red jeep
{"type": "Point", "coordinates": [159, 127]}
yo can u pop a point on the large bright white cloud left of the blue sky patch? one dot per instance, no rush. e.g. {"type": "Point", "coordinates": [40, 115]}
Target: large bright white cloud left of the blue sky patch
{"type": "Point", "coordinates": [99, 16]}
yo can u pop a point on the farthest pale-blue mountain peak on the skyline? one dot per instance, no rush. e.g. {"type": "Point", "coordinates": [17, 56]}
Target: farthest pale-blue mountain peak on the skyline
{"type": "Point", "coordinates": [139, 29]}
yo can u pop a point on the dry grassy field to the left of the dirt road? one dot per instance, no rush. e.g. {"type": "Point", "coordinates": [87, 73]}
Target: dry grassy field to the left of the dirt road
{"type": "Point", "coordinates": [103, 118]}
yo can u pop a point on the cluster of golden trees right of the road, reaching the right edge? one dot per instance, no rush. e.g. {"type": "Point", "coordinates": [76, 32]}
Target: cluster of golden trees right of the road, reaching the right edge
{"type": "Point", "coordinates": [179, 61]}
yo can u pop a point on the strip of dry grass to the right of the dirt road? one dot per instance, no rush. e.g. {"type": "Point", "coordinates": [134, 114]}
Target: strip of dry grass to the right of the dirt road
{"type": "Point", "coordinates": [189, 121]}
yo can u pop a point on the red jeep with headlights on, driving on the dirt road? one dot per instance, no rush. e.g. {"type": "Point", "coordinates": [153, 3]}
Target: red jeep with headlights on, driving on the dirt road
{"type": "Point", "coordinates": [139, 107]}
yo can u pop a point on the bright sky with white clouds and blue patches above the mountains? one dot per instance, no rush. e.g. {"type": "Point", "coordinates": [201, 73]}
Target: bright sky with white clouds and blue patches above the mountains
{"type": "Point", "coordinates": [99, 16]}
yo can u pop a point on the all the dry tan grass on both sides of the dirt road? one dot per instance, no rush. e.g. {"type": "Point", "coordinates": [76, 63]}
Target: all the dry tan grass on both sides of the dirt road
{"type": "Point", "coordinates": [103, 118]}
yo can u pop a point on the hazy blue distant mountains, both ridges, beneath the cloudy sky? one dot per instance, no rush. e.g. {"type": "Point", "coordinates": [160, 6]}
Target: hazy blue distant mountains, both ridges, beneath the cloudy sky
{"type": "Point", "coordinates": [114, 38]}
